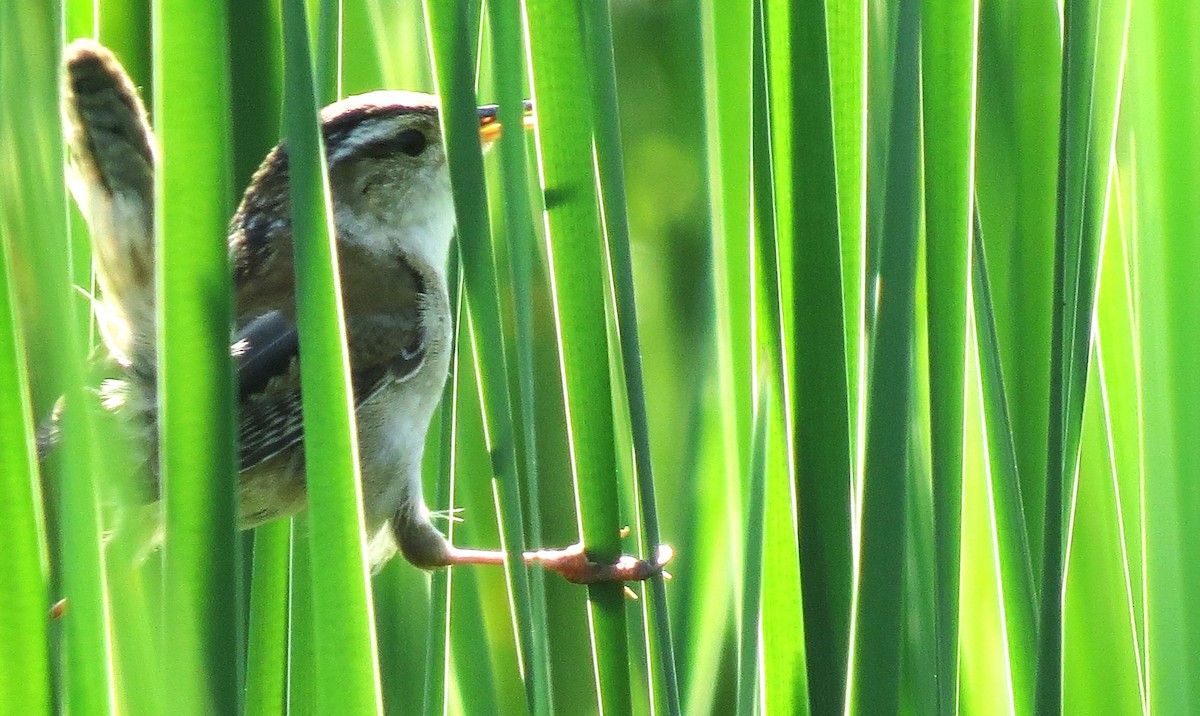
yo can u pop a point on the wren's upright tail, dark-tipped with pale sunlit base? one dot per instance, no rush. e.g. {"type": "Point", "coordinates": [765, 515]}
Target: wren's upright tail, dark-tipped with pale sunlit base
{"type": "Point", "coordinates": [113, 163]}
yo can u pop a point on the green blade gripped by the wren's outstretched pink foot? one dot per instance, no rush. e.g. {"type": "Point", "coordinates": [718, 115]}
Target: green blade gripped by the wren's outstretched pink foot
{"type": "Point", "coordinates": [575, 245]}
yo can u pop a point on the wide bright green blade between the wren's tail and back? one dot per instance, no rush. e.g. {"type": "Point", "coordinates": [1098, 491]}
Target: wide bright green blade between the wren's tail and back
{"type": "Point", "coordinates": [196, 414]}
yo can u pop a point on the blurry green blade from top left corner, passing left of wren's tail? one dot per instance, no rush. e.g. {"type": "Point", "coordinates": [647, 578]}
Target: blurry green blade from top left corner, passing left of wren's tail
{"type": "Point", "coordinates": [34, 216]}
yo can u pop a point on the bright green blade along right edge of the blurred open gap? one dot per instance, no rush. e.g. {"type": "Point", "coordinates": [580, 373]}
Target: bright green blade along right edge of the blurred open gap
{"type": "Point", "coordinates": [722, 399]}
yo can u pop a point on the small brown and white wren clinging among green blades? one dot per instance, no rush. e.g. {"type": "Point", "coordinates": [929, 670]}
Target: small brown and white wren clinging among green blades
{"type": "Point", "coordinates": [394, 218]}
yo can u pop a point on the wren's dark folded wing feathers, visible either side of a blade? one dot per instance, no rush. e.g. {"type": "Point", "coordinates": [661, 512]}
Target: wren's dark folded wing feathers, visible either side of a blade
{"type": "Point", "coordinates": [385, 348]}
